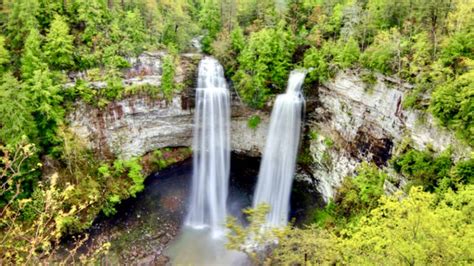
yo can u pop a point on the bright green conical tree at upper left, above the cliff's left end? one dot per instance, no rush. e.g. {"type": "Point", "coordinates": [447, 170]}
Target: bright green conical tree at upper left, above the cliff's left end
{"type": "Point", "coordinates": [59, 44]}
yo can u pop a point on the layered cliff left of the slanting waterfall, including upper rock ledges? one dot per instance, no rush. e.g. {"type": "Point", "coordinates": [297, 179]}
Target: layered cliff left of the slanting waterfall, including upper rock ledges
{"type": "Point", "coordinates": [138, 124]}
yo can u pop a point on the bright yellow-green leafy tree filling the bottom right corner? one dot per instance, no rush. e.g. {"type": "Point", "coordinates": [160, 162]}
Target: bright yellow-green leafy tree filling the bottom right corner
{"type": "Point", "coordinates": [415, 230]}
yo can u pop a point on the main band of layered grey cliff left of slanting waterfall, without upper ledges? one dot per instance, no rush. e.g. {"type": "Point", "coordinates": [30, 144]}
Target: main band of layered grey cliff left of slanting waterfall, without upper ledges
{"type": "Point", "coordinates": [139, 124]}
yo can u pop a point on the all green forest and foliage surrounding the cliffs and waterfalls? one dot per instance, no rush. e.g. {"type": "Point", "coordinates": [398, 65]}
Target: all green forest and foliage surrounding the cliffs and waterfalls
{"type": "Point", "coordinates": [53, 186]}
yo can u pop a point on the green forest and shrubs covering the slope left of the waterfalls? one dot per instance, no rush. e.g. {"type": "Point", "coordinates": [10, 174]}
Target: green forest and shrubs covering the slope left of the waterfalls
{"type": "Point", "coordinates": [53, 185]}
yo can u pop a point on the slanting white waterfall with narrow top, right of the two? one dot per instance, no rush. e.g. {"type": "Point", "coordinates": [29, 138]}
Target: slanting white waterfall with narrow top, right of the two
{"type": "Point", "coordinates": [279, 158]}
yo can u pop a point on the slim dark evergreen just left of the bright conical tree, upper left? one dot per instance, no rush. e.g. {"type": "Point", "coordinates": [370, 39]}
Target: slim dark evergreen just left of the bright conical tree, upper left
{"type": "Point", "coordinates": [31, 59]}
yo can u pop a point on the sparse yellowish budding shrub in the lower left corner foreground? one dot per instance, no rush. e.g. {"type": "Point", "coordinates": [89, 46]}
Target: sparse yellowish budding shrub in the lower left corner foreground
{"type": "Point", "coordinates": [32, 227]}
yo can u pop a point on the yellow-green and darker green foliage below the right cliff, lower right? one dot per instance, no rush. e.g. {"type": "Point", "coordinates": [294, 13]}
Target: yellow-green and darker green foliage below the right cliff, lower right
{"type": "Point", "coordinates": [365, 226]}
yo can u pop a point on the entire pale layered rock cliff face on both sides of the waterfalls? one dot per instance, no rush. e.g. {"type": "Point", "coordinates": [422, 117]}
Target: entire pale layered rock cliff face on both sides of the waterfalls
{"type": "Point", "coordinates": [347, 121]}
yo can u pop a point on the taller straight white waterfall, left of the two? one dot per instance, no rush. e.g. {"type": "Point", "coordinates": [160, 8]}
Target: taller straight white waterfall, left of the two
{"type": "Point", "coordinates": [211, 146]}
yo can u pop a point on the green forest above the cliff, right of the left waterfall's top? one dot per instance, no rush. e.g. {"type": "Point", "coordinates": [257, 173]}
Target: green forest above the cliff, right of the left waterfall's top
{"type": "Point", "coordinates": [428, 44]}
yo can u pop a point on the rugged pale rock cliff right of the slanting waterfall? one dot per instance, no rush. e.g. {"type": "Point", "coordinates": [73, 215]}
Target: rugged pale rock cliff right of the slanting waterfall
{"type": "Point", "coordinates": [355, 122]}
